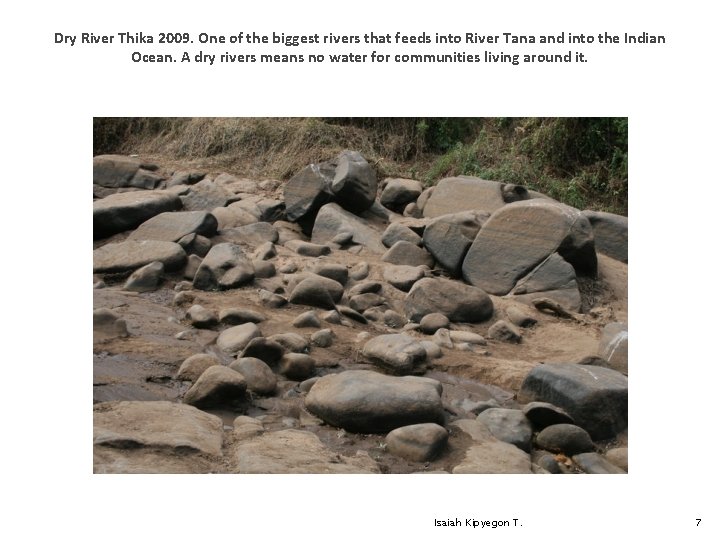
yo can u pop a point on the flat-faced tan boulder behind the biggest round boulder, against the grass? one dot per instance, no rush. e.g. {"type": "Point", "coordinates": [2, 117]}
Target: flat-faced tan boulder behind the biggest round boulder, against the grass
{"type": "Point", "coordinates": [460, 193]}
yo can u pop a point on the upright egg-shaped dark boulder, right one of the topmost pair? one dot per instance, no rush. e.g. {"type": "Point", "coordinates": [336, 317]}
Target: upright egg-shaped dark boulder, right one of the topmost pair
{"type": "Point", "coordinates": [355, 183]}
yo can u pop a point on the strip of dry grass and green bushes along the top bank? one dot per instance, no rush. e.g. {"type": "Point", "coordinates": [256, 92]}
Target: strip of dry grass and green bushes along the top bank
{"type": "Point", "coordinates": [580, 161]}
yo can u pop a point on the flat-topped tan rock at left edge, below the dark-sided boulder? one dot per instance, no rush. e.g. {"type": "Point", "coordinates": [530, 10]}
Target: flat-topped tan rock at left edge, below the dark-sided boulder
{"type": "Point", "coordinates": [132, 254]}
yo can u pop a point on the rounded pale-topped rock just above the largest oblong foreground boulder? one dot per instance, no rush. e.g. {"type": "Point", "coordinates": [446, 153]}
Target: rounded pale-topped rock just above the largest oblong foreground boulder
{"type": "Point", "coordinates": [396, 353]}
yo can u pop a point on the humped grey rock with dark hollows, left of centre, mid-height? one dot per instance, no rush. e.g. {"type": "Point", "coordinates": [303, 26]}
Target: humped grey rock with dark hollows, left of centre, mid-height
{"type": "Point", "coordinates": [225, 267]}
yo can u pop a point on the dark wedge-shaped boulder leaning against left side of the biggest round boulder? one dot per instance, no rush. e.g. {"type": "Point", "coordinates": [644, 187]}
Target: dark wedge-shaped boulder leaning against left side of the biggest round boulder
{"type": "Point", "coordinates": [449, 237]}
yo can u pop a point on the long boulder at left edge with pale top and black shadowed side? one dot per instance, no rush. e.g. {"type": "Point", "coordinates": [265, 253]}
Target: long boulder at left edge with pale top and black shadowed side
{"type": "Point", "coordinates": [124, 211]}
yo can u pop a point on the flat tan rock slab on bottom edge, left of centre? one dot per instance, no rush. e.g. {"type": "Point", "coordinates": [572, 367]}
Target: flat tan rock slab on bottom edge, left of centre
{"type": "Point", "coordinates": [295, 452]}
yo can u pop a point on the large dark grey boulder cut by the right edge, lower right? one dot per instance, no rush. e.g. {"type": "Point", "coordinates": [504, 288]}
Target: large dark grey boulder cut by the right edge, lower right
{"type": "Point", "coordinates": [595, 397]}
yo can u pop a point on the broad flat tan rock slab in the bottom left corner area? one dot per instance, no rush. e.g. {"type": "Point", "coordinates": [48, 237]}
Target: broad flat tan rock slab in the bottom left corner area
{"type": "Point", "coordinates": [157, 424]}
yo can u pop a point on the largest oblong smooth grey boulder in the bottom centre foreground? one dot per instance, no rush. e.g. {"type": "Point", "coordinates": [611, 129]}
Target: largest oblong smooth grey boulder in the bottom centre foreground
{"type": "Point", "coordinates": [369, 402]}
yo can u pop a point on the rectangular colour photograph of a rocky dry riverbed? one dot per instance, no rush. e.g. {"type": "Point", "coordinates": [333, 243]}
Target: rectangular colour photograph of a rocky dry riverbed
{"type": "Point", "coordinates": [360, 295]}
